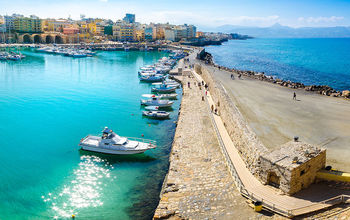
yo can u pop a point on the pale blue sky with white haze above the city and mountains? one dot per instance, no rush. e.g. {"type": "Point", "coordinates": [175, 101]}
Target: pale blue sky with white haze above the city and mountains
{"type": "Point", "coordinates": [204, 13]}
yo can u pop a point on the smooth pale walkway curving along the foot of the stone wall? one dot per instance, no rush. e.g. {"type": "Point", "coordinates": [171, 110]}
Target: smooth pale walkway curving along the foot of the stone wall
{"type": "Point", "coordinates": [295, 205]}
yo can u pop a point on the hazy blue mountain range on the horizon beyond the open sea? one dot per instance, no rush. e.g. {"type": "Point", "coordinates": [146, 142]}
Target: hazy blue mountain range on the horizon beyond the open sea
{"type": "Point", "coordinates": [280, 31]}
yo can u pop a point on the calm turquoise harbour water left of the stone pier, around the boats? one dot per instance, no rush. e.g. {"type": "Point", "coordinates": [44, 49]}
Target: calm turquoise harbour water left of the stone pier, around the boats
{"type": "Point", "coordinates": [47, 104]}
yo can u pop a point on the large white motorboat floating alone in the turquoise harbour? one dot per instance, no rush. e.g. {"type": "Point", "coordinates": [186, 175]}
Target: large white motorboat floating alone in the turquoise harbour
{"type": "Point", "coordinates": [111, 143]}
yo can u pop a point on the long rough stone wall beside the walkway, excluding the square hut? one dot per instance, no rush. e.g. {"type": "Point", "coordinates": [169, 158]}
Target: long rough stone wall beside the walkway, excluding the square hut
{"type": "Point", "coordinates": [241, 134]}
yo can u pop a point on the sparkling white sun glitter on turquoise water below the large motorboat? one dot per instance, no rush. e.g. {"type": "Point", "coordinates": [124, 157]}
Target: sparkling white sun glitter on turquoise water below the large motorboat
{"type": "Point", "coordinates": [84, 189]}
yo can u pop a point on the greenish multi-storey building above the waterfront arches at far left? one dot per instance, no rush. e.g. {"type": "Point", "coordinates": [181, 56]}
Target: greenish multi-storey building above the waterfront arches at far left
{"type": "Point", "coordinates": [32, 24]}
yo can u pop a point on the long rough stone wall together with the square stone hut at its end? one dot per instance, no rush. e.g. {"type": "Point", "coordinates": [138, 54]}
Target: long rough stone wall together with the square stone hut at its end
{"type": "Point", "coordinates": [291, 168]}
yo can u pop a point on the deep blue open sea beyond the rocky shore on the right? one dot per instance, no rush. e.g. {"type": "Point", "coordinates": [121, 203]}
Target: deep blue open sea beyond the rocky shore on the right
{"type": "Point", "coordinates": [310, 61]}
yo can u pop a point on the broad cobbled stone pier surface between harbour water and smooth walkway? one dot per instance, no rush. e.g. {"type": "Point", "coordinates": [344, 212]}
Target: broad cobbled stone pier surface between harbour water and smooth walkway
{"type": "Point", "coordinates": [198, 185]}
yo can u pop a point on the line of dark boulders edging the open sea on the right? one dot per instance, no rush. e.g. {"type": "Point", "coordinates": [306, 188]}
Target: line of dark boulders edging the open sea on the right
{"type": "Point", "coordinates": [320, 89]}
